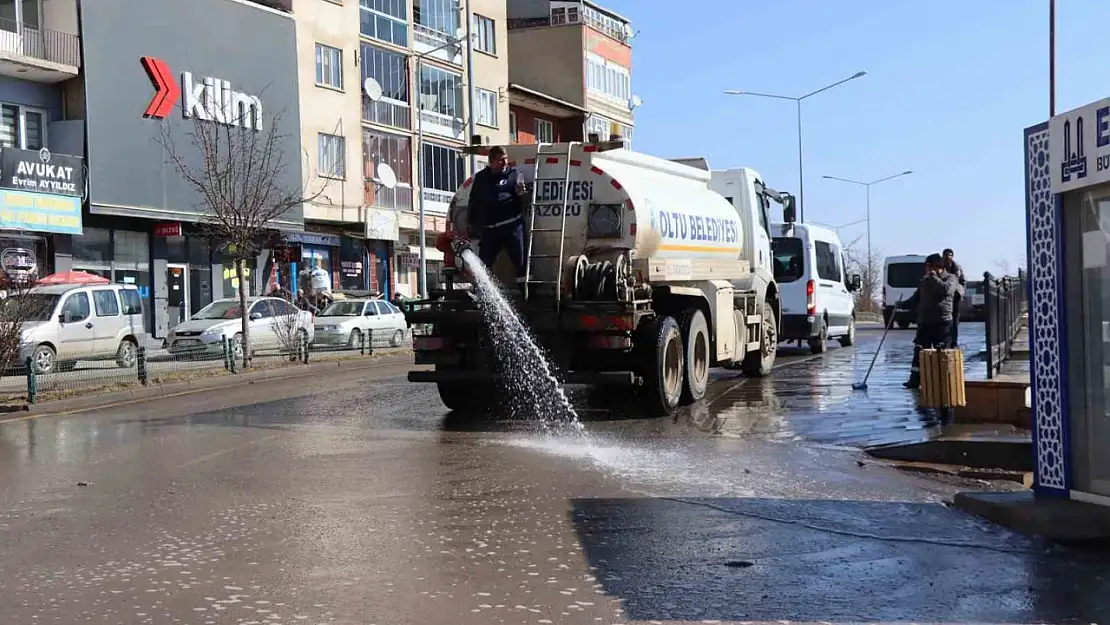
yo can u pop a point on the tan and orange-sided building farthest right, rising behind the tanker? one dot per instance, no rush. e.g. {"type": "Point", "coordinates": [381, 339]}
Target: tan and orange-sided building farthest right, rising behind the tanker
{"type": "Point", "coordinates": [571, 62]}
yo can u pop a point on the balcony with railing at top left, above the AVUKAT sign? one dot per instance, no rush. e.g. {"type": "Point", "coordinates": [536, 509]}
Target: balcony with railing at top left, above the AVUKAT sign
{"type": "Point", "coordinates": [41, 55]}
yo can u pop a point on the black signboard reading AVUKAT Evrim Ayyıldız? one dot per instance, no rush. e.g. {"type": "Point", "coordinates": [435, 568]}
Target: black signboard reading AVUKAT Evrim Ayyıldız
{"type": "Point", "coordinates": [39, 172]}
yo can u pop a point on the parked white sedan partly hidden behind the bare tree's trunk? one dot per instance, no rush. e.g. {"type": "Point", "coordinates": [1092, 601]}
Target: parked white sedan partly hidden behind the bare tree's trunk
{"type": "Point", "coordinates": [274, 322]}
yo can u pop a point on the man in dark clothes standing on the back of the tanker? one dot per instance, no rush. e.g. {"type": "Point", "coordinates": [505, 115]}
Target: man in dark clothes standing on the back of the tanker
{"type": "Point", "coordinates": [496, 214]}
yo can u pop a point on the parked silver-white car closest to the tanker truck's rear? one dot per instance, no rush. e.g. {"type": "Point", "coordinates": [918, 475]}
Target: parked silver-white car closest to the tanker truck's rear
{"type": "Point", "coordinates": [346, 324]}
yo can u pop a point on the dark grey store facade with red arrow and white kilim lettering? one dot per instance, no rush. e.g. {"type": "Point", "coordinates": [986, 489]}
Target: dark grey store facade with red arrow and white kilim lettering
{"type": "Point", "coordinates": [154, 70]}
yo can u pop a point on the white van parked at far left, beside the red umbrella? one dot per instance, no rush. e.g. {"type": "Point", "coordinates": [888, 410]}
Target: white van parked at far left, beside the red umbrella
{"type": "Point", "coordinates": [66, 324]}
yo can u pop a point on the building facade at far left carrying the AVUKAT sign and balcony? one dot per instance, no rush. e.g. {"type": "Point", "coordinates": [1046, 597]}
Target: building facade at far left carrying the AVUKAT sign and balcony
{"type": "Point", "coordinates": [41, 62]}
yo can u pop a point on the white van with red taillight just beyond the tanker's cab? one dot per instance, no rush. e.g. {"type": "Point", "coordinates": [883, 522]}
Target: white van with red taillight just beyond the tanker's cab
{"type": "Point", "coordinates": [818, 296]}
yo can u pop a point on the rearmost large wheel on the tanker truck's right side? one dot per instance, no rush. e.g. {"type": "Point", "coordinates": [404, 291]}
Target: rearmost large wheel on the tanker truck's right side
{"type": "Point", "coordinates": [661, 346]}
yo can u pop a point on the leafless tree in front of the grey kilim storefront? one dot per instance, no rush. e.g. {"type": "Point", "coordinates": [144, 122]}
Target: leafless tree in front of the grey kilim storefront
{"type": "Point", "coordinates": [241, 173]}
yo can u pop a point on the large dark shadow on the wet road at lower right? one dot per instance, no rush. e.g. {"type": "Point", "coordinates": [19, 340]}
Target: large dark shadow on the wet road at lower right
{"type": "Point", "coordinates": [704, 560]}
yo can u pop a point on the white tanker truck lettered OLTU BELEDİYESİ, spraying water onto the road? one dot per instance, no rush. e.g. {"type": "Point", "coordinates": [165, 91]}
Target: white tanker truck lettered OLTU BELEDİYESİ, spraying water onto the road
{"type": "Point", "coordinates": [639, 277]}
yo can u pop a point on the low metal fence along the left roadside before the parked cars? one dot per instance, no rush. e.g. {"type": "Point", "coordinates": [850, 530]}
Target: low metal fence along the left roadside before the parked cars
{"type": "Point", "coordinates": [44, 377]}
